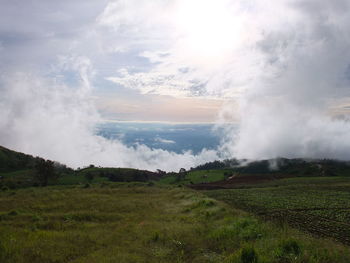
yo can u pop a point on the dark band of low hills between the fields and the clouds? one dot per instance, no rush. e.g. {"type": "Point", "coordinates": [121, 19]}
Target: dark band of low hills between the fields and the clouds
{"type": "Point", "coordinates": [18, 170]}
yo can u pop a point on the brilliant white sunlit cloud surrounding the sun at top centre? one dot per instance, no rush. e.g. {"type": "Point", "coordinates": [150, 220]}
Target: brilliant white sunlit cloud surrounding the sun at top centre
{"type": "Point", "coordinates": [182, 63]}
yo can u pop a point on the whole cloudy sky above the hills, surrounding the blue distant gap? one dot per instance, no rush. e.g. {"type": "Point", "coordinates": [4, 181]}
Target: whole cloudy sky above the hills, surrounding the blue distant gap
{"type": "Point", "coordinates": [278, 69]}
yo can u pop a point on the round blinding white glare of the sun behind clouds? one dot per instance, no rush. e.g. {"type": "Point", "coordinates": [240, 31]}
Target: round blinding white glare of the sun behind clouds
{"type": "Point", "coordinates": [208, 28]}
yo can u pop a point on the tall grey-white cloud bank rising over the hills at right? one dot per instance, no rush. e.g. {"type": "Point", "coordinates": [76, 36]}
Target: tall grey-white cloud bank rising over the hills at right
{"type": "Point", "coordinates": [296, 105]}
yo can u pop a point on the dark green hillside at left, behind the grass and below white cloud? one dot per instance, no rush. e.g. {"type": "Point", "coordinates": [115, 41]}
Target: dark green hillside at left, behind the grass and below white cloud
{"type": "Point", "coordinates": [18, 170]}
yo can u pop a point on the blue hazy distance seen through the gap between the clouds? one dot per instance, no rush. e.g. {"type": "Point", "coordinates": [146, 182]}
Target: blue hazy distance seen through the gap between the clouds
{"type": "Point", "coordinates": [175, 137]}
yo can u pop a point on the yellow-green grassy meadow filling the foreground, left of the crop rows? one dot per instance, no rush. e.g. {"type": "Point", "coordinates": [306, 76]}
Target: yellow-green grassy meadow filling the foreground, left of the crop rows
{"type": "Point", "coordinates": [144, 223]}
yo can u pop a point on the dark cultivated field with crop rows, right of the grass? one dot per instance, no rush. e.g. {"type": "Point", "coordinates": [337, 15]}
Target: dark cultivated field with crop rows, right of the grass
{"type": "Point", "coordinates": [319, 205]}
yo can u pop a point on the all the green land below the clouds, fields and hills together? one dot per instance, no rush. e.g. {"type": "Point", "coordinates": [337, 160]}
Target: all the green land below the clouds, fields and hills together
{"type": "Point", "coordinates": [100, 214]}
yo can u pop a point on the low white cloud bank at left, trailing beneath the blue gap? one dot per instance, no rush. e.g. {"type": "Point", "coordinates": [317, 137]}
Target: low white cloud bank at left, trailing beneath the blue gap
{"type": "Point", "coordinates": [48, 119]}
